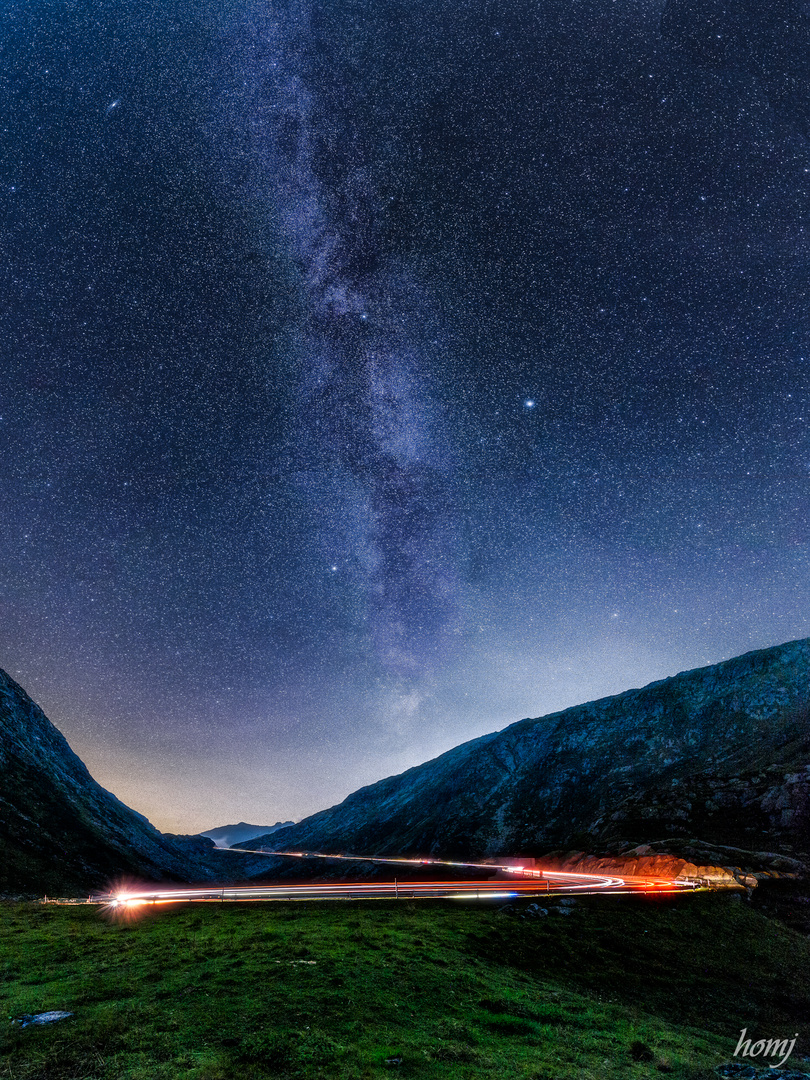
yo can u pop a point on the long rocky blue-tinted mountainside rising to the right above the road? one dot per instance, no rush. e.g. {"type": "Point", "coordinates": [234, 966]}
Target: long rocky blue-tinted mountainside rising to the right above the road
{"type": "Point", "coordinates": [720, 754]}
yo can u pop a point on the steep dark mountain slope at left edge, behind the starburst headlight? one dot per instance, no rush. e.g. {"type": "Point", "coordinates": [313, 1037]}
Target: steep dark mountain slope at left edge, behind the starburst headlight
{"type": "Point", "coordinates": [60, 831]}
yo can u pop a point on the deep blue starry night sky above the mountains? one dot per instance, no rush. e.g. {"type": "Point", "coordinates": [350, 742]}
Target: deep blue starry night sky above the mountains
{"type": "Point", "coordinates": [377, 374]}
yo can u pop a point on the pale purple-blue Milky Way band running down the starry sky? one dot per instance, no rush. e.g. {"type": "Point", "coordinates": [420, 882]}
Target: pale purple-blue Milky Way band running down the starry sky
{"type": "Point", "coordinates": [367, 448]}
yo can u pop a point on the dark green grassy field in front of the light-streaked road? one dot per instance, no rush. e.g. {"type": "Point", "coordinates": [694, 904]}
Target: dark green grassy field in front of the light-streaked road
{"type": "Point", "coordinates": [615, 989]}
